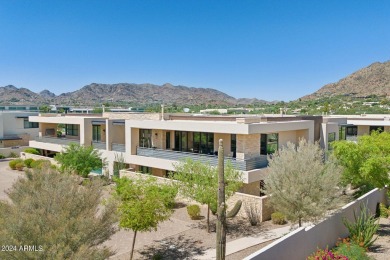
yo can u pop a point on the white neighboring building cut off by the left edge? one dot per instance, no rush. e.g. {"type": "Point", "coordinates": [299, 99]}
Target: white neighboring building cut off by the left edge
{"type": "Point", "coordinates": [16, 129]}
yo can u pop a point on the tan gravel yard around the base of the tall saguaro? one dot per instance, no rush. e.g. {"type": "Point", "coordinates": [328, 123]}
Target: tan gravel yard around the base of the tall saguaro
{"type": "Point", "coordinates": [192, 242]}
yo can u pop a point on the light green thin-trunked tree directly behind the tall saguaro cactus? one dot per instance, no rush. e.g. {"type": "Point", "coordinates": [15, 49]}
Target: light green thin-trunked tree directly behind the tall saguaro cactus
{"type": "Point", "coordinates": [199, 182]}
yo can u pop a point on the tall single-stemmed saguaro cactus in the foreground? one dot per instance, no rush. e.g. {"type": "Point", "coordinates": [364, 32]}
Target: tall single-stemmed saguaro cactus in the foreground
{"type": "Point", "coordinates": [221, 213]}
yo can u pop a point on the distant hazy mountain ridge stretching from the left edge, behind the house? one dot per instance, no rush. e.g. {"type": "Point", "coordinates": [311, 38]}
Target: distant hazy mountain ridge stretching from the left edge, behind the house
{"type": "Point", "coordinates": [125, 93]}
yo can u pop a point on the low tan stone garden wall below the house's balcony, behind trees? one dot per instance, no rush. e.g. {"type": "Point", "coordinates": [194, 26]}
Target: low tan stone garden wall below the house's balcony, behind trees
{"type": "Point", "coordinates": [247, 200]}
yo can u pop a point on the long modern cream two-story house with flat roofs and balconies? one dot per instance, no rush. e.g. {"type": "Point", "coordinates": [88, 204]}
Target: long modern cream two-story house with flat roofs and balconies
{"type": "Point", "coordinates": [150, 145]}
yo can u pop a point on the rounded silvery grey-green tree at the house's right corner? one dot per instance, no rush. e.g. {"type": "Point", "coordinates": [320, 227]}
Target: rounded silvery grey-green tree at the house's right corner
{"type": "Point", "coordinates": [300, 184]}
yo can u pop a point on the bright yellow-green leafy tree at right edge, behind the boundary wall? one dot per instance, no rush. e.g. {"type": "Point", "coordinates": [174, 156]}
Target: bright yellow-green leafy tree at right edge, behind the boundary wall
{"type": "Point", "coordinates": [366, 162]}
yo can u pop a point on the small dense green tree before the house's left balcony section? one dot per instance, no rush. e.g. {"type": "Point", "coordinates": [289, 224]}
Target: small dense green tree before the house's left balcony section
{"type": "Point", "coordinates": [79, 159]}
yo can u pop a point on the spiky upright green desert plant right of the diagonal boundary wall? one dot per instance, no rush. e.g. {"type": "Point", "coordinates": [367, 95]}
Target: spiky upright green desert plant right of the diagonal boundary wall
{"type": "Point", "coordinates": [363, 229]}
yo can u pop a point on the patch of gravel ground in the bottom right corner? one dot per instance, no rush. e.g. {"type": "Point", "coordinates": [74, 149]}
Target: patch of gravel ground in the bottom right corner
{"type": "Point", "coordinates": [381, 248]}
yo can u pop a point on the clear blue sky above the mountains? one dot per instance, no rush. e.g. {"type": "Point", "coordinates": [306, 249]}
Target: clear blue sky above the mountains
{"type": "Point", "coordinates": [273, 50]}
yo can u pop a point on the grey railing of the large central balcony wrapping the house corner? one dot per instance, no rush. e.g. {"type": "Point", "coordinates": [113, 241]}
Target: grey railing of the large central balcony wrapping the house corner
{"type": "Point", "coordinates": [243, 165]}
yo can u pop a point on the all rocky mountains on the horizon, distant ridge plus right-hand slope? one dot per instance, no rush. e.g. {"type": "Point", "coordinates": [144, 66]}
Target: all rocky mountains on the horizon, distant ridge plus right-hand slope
{"type": "Point", "coordinates": [371, 80]}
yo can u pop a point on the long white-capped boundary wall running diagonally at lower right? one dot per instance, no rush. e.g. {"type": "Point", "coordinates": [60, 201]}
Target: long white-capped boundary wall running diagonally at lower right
{"type": "Point", "coordinates": [302, 242]}
